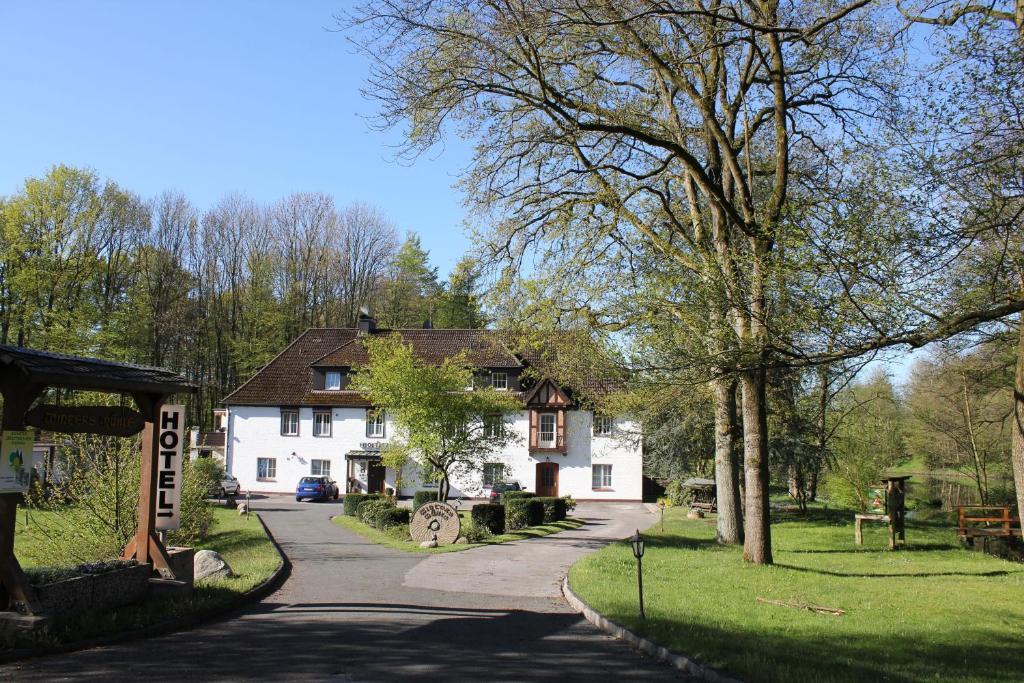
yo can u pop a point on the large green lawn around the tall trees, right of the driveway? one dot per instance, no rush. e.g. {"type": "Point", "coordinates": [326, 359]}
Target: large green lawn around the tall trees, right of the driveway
{"type": "Point", "coordinates": [929, 613]}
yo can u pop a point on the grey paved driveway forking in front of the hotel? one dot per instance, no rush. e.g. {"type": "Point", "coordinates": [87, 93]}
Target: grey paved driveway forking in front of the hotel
{"type": "Point", "coordinates": [357, 612]}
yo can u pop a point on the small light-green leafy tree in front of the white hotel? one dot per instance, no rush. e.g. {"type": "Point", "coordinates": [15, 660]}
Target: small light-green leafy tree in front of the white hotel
{"type": "Point", "coordinates": [446, 430]}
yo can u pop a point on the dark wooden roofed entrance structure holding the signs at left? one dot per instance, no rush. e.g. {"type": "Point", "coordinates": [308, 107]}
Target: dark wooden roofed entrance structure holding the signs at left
{"type": "Point", "coordinates": [25, 375]}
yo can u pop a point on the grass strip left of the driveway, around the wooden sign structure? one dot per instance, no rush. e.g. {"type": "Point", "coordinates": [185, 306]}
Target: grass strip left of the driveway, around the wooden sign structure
{"type": "Point", "coordinates": [241, 541]}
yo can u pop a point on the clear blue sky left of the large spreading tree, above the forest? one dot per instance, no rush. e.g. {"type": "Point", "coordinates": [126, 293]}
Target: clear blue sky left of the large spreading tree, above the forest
{"type": "Point", "coordinates": [211, 98]}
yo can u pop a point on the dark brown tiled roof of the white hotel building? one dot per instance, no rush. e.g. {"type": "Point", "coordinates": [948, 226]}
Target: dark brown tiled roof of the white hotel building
{"type": "Point", "coordinates": [287, 380]}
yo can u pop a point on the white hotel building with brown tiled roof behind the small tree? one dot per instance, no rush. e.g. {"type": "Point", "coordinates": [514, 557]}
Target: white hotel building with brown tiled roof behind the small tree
{"type": "Point", "coordinates": [297, 418]}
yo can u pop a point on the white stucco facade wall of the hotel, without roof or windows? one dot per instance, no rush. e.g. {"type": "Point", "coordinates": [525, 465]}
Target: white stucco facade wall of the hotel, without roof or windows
{"type": "Point", "coordinates": [255, 433]}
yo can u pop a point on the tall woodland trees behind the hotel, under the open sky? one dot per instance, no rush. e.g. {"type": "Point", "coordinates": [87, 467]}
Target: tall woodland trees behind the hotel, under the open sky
{"type": "Point", "coordinates": [92, 269]}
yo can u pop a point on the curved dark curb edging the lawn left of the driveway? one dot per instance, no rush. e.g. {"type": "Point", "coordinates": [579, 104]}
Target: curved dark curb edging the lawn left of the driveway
{"type": "Point", "coordinates": [269, 586]}
